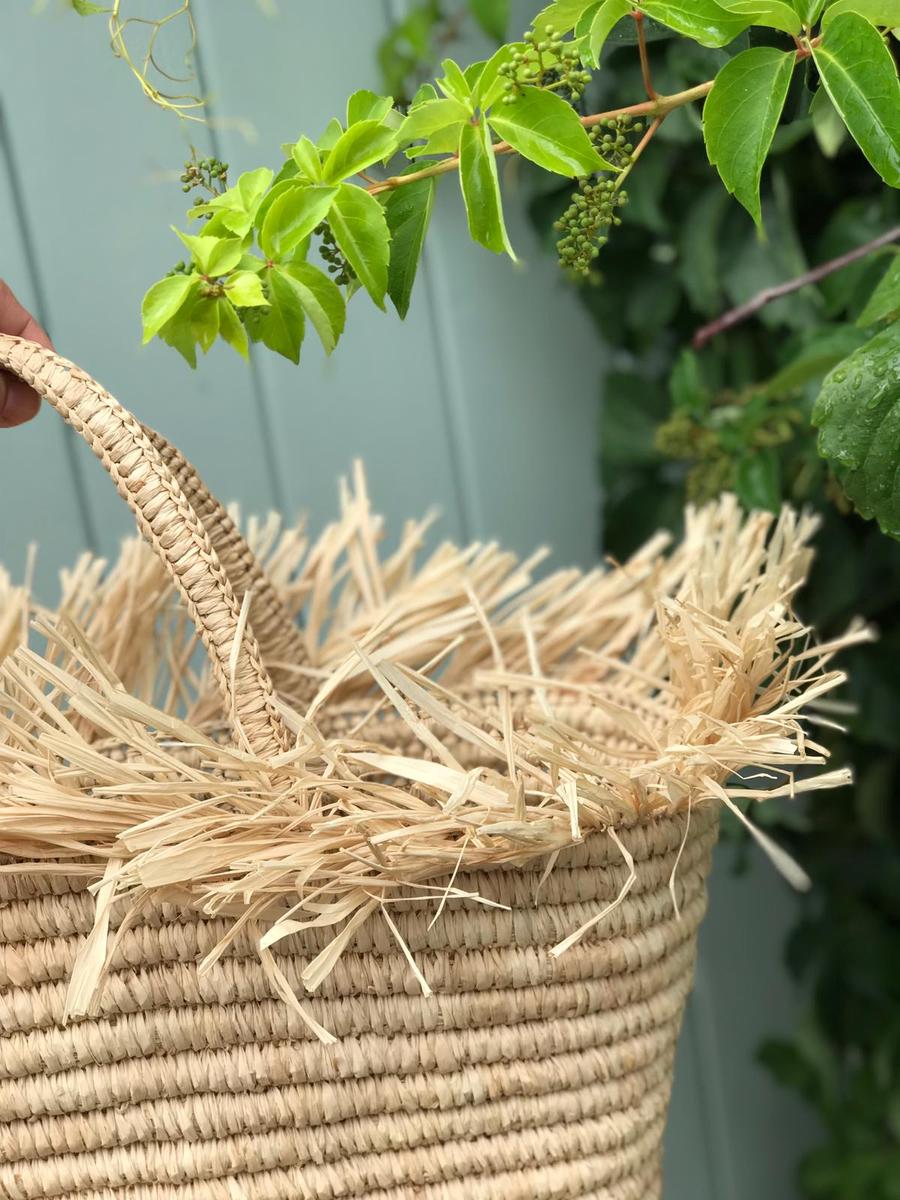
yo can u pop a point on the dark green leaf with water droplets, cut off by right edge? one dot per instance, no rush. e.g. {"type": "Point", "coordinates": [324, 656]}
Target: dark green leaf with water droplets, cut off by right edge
{"type": "Point", "coordinates": [859, 419]}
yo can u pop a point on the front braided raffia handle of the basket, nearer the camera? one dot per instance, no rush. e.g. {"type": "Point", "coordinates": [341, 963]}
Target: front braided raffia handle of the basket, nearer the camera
{"type": "Point", "coordinates": [173, 529]}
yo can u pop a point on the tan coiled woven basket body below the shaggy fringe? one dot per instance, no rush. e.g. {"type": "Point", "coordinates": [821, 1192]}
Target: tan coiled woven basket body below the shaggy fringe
{"type": "Point", "coordinates": [526, 1076]}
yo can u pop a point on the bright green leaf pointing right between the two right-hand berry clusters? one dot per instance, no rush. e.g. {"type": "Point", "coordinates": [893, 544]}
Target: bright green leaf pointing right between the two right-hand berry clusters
{"type": "Point", "coordinates": [545, 129]}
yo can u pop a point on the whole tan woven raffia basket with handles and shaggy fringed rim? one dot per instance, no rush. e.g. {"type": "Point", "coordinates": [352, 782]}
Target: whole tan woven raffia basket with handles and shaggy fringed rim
{"type": "Point", "coordinates": [400, 901]}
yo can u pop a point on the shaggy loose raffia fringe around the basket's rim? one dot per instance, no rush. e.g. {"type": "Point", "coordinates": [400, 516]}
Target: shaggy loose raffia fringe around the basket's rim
{"type": "Point", "coordinates": [466, 717]}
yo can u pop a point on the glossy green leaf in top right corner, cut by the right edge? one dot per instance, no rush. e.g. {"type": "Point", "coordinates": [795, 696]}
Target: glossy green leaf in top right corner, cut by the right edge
{"type": "Point", "coordinates": [860, 75]}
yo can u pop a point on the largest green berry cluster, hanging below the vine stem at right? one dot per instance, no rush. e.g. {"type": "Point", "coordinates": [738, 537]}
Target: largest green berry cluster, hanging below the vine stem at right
{"type": "Point", "coordinates": [586, 224]}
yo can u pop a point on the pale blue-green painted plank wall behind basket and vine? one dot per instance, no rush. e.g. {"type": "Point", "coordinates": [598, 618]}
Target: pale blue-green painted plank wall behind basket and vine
{"type": "Point", "coordinates": [484, 403]}
